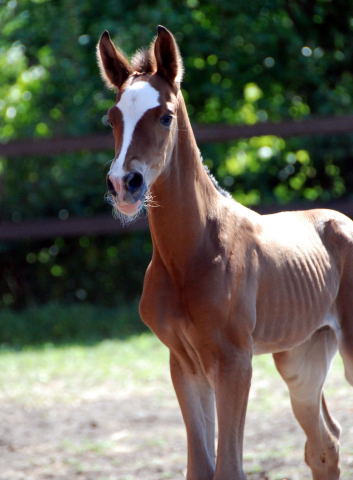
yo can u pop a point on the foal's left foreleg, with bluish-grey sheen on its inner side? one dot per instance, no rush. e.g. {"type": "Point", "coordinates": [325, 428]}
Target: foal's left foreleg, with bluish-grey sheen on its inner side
{"type": "Point", "coordinates": [196, 401]}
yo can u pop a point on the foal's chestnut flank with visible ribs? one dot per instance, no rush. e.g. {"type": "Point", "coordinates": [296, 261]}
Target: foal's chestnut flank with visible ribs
{"type": "Point", "coordinates": [295, 298]}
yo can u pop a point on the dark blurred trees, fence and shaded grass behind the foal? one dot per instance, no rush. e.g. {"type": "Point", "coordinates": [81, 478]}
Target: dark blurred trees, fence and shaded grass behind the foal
{"type": "Point", "coordinates": [67, 270]}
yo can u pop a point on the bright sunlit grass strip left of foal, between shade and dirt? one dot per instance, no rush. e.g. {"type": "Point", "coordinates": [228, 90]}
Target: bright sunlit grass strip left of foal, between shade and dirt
{"type": "Point", "coordinates": [37, 374]}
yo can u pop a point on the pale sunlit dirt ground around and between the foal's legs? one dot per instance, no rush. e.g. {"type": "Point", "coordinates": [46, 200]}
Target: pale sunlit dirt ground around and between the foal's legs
{"type": "Point", "coordinates": [107, 434]}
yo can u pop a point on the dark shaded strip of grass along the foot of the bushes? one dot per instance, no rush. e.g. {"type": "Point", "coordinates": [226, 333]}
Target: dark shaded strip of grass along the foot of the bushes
{"type": "Point", "coordinates": [68, 323]}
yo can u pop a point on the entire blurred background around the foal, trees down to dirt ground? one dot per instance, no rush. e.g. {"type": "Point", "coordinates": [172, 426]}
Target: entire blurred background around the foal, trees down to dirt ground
{"type": "Point", "coordinates": [84, 391]}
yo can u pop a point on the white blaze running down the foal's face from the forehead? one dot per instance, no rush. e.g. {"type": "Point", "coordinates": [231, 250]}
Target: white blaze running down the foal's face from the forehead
{"type": "Point", "coordinates": [135, 101]}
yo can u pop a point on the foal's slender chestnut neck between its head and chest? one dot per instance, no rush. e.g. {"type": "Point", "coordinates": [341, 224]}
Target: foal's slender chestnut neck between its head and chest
{"type": "Point", "coordinates": [185, 197]}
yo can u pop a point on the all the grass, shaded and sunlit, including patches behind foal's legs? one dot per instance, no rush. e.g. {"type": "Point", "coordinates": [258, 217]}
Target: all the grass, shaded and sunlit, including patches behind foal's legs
{"type": "Point", "coordinates": [57, 351]}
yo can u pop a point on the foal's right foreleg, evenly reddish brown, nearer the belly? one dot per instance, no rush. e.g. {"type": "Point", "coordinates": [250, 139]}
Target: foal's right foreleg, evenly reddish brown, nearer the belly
{"type": "Point", "coordinates": [232, 384]}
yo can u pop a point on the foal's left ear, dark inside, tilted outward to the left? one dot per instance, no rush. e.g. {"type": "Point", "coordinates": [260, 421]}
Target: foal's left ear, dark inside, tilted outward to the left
{"type": "Point", "coordinates": [114, 66]}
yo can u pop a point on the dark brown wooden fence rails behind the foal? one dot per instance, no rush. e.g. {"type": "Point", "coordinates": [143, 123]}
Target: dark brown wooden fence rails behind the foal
{"type": "Point", "coordinates": [105, 224]}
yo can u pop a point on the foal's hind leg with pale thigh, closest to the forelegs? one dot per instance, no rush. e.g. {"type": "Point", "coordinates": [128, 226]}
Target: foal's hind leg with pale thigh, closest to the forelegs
{"type": "Point", "coordinates": [304, 369]}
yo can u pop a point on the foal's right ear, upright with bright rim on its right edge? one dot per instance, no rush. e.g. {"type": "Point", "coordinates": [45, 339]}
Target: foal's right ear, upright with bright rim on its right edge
{"type": "Point", "coordinates": [168, 58]}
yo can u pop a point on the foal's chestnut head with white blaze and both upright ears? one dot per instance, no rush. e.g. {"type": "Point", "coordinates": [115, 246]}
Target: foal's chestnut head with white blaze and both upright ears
{"type": "Point", "coordinates": [143, 118]}
